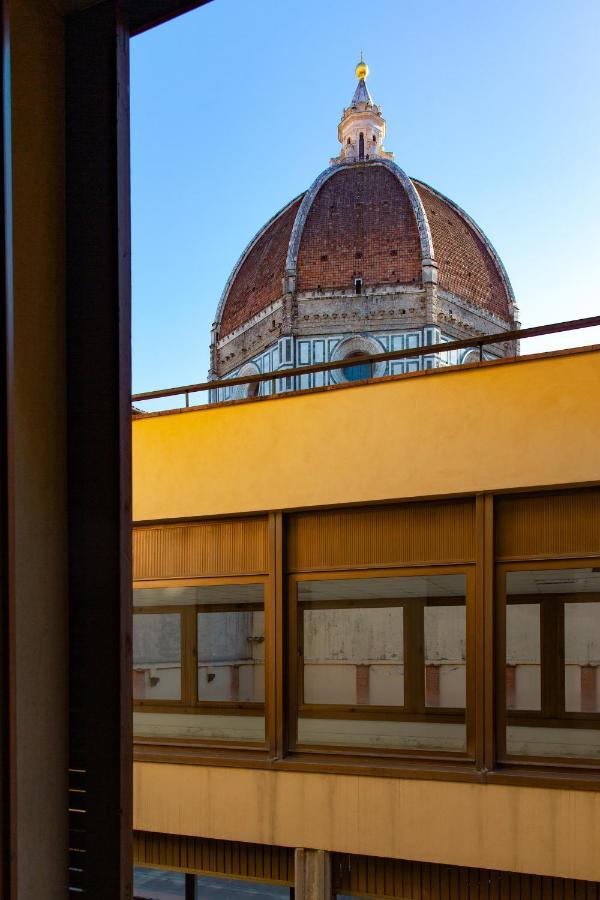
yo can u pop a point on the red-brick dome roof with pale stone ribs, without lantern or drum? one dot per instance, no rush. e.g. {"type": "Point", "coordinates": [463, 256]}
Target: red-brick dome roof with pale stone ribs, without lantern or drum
{"type": "Point", "coordinates": [368, 220]}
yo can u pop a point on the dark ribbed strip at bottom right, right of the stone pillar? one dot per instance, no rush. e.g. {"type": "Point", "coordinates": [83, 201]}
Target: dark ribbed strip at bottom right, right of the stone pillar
{"type": "Point", "coordinates": [394, 878]}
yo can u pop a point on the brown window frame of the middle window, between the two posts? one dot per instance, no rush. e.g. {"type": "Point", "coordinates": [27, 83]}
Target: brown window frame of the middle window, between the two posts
{"type": "Point", "coordinates": [415, 710]}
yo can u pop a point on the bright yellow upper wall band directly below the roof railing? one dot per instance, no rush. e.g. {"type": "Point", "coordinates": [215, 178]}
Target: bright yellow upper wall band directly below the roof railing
{"type": "Point", "coordinates": [533, 422]}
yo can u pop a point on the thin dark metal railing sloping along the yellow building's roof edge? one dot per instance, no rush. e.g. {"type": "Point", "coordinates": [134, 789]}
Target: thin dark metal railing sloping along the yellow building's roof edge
{"type": "Point", "coordinates": [273, 377]}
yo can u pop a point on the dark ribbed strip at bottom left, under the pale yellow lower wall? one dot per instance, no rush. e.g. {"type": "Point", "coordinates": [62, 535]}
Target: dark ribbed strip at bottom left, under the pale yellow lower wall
{"type": "Point", "coordinates": [205, 856]}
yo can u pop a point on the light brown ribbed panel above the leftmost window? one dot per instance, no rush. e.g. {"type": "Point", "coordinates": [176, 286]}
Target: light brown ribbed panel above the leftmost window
{"type": "Point", "coordinates": [224, 547]}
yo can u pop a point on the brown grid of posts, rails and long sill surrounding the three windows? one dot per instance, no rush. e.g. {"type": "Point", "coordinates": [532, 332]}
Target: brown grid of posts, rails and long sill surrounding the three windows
{"type": "Point", "coordinates": [484, 764]}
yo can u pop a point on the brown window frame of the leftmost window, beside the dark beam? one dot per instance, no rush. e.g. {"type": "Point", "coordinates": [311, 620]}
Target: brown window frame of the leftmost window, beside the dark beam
{"type": "Point", "coordinates": [188, 701]}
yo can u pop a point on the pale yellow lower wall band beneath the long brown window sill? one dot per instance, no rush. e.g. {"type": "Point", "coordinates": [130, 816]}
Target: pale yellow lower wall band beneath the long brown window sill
{"type": "Point", "coordinates": [534, 830]}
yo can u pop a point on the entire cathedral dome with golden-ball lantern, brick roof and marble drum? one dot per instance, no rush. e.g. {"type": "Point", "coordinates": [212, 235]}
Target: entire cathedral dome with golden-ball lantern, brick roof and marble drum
{"type": "Point", "coordinates": [367, 260]}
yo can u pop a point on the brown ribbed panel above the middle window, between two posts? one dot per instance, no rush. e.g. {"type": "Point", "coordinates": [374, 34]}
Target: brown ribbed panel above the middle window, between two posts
{"type": "Point", "coordinates": [384, 535]}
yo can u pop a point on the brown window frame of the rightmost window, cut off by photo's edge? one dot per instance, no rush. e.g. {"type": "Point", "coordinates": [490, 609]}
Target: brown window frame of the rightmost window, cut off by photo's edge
{"type": "Point", "coordinates": [552, 712]}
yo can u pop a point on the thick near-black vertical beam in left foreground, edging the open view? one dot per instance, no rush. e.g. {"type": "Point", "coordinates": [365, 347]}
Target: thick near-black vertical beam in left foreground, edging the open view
{"type": "Point", "coordinates": [99, 455]}
